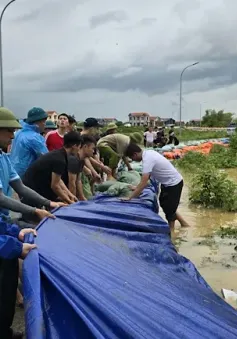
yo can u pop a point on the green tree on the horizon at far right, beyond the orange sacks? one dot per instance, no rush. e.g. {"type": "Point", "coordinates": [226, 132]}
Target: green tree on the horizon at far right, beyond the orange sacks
{"type": "Point", "coordinates": [214, 118]}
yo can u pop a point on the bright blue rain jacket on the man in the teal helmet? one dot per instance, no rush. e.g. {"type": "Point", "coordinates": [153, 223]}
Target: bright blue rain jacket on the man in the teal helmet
{"type": "Point", "coordinates": [27, 146]}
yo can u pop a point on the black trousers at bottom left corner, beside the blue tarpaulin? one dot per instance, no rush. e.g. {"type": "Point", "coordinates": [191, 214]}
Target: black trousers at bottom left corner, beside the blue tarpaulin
{"type": "Point", "coordinates": [8, 289]}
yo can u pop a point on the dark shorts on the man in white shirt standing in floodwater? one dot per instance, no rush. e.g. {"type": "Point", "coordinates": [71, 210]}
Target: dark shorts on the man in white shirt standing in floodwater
{"type": "Point", "coordinates": [170, 199]}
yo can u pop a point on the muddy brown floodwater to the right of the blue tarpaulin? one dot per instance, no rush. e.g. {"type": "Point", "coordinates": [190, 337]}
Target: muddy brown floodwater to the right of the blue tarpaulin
{"type": "Point", "coordinates": [215, 258]}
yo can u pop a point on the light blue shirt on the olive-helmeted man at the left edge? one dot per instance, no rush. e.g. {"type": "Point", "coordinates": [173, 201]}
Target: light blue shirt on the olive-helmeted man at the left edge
{"type": "Point", "coordinates": [7, 175]}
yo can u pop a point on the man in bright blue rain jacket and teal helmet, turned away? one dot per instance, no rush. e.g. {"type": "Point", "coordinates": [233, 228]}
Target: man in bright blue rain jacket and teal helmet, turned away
{"type": "Point", "coordinates": [28, 143]}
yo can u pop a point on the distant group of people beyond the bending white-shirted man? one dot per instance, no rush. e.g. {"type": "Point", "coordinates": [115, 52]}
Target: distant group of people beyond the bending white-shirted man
{"type": "Point", "coordinates": [156, 137]}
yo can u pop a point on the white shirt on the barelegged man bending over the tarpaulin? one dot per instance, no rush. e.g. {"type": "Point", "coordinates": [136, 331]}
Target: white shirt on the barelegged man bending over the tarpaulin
{"type": "Point", "coordinates": [160, 168]}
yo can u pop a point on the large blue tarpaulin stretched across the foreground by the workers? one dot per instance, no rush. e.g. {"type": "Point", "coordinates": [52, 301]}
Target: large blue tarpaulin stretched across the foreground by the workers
{"type": "Point", "coordinates": [107, 269]}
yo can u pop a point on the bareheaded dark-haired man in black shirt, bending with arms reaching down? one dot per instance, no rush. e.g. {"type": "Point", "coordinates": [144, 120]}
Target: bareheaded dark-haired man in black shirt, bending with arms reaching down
{"type": "Point", "coordinates": [49, 174]}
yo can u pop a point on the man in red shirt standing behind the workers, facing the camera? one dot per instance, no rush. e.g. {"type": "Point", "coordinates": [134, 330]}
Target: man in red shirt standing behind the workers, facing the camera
{"type": "Point", "coordinates": [54, 139]}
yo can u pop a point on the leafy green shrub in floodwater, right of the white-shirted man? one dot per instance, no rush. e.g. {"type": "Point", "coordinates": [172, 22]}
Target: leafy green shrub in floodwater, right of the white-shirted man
{"type": "Point", "coordinates": [211, 188]}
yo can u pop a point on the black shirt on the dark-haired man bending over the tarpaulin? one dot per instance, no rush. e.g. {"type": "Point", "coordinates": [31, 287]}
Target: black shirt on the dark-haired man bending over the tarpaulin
{"type": "Point", "coordinates": [38, 175]}
